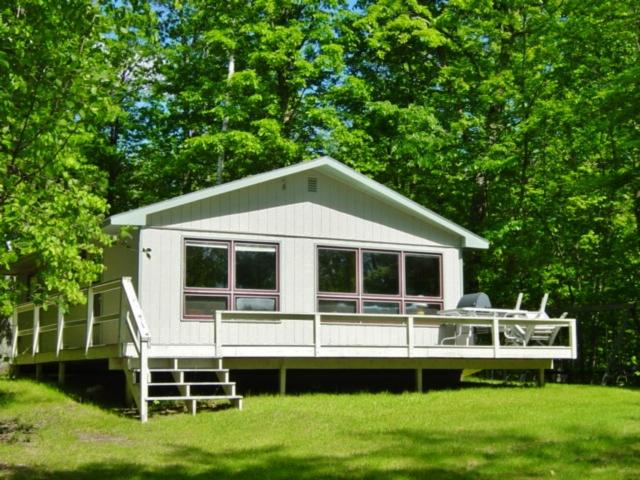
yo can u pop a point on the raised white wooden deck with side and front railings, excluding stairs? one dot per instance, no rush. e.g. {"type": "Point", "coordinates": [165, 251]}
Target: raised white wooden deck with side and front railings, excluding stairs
{"type": "Point", "coordinates": [241, 334]}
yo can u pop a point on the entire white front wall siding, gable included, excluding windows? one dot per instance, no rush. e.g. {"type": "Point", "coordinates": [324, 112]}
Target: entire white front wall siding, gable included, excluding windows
{"type": "Point", "coordinates": [286, 213]}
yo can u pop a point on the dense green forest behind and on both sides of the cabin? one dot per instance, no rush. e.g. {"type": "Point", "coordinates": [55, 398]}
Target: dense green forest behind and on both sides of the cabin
{"type": "Point", "coordinates": [517, 119]}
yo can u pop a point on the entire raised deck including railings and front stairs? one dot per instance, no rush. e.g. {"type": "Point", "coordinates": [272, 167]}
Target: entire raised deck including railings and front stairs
{"type": "Point", "coordinates": [112, 325]}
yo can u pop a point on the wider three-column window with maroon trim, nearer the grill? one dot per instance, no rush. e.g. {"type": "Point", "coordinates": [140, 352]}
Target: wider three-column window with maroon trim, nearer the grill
{"type": "Point", "coordinates": [353, 280]}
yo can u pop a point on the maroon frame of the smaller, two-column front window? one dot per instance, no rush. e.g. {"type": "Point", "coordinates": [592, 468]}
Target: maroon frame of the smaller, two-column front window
{"type": "Point", "coordinates": [230, 292]}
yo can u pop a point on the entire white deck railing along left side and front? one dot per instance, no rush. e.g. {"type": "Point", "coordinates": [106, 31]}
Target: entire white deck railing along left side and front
{"type": "Point", "coordinates": [113, 316]}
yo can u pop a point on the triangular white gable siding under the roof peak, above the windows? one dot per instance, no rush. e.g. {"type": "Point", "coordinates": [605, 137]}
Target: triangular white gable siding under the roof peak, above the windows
{"type": "Point", "coordinates": [336, 210]}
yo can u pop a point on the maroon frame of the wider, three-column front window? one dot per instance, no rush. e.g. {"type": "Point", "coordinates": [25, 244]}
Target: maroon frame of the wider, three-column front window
{"type": "Point", "coordinates": [360, 298]}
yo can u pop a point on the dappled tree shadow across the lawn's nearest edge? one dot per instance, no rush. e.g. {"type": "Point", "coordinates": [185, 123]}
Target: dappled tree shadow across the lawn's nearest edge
{"type": "Point", "coordinates": [397, 454]}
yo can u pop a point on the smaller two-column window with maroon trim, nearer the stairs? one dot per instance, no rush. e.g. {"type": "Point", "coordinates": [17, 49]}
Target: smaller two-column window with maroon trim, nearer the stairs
{"type": "Point", "coordinates": [229, 276]}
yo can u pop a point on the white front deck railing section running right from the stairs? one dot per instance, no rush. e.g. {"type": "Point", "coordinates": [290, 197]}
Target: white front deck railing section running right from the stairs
{"type": "Point", "coordinates": [242, 333]}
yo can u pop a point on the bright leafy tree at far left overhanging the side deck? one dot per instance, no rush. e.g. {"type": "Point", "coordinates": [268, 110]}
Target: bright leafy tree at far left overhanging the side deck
{"type": "Point", "coordinates": [53, 74]}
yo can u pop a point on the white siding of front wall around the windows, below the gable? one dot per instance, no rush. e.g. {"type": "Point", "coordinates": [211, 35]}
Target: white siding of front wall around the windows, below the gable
{"type": "Point", "coordinates": [161, 282]}
